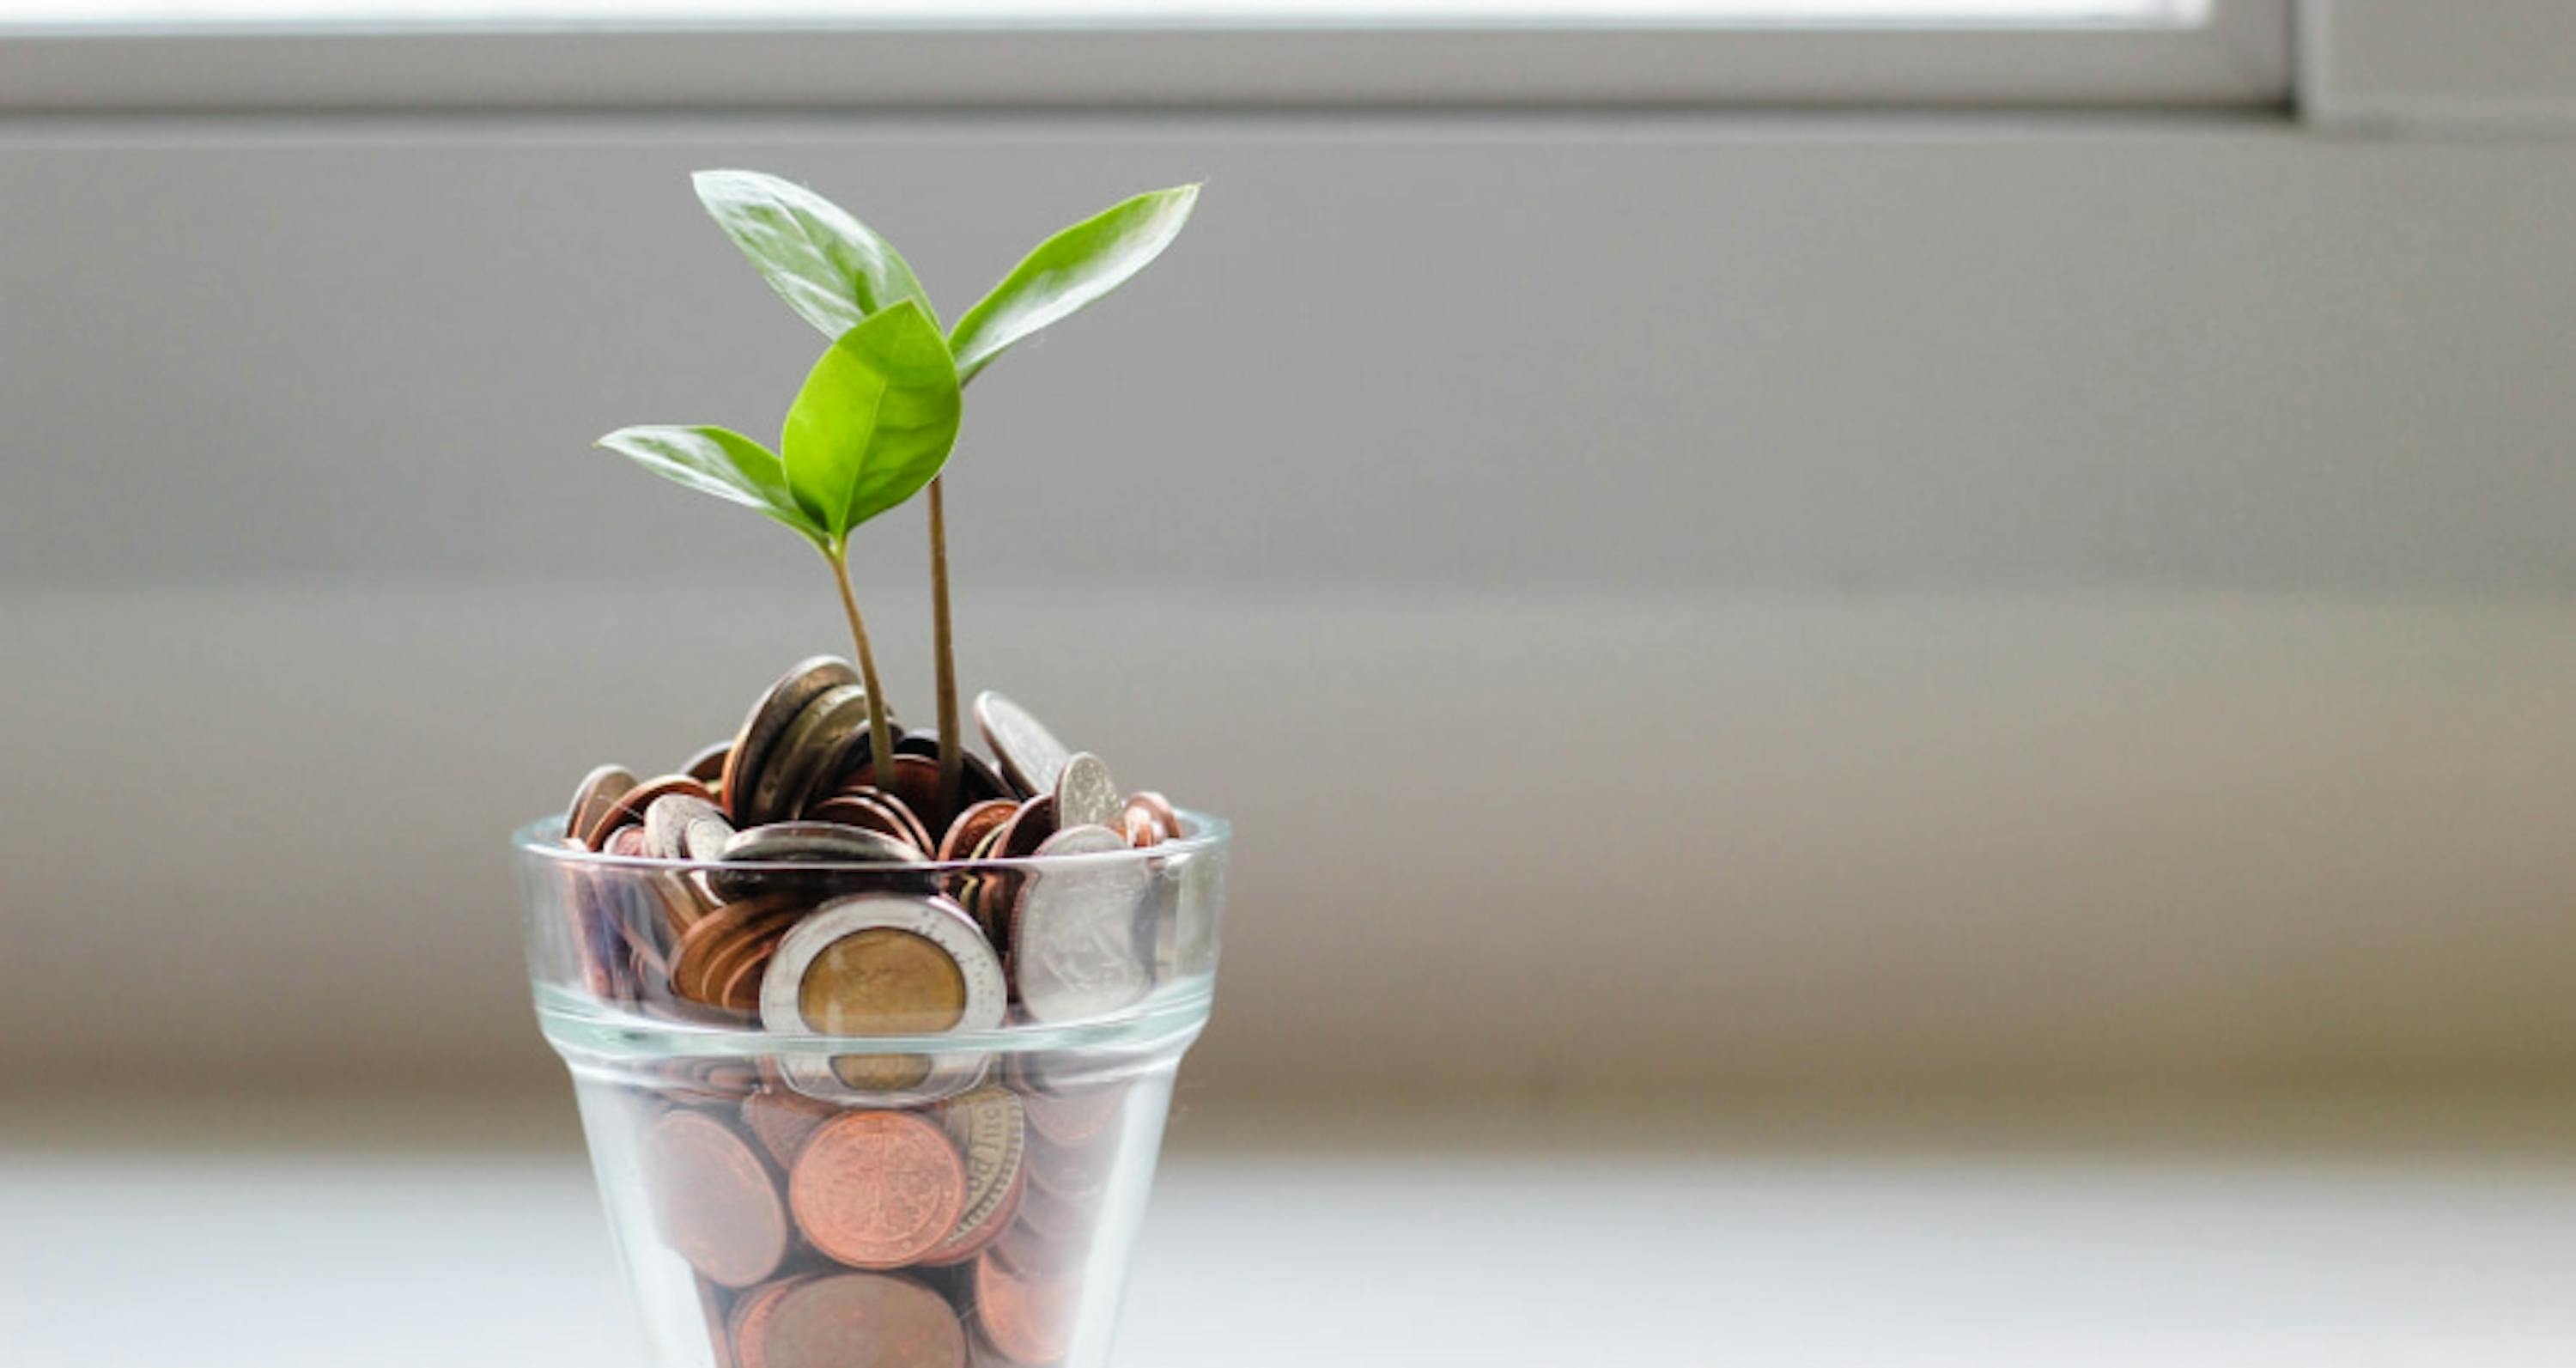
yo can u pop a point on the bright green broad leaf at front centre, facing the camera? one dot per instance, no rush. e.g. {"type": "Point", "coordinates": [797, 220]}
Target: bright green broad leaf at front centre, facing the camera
{"type": "Point", "coordinates": [875, 419]}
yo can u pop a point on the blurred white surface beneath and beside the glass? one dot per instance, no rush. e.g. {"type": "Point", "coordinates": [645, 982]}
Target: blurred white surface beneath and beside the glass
{"type": "Point", "coordinates": [1743, 1253]}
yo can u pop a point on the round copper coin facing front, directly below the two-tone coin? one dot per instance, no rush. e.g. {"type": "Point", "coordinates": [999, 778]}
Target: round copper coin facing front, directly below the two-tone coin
{"type": "Point", "coordinates": [877, 1189]}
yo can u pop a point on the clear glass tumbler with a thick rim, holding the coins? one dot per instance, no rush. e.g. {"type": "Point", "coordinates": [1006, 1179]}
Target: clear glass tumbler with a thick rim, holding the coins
{"type": "Point", "coordinates": [962, 1194]}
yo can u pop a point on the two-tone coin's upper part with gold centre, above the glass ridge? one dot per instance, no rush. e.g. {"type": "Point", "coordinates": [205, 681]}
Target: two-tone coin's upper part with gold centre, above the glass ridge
{"type": "Point", "coordinates": [885, 965]}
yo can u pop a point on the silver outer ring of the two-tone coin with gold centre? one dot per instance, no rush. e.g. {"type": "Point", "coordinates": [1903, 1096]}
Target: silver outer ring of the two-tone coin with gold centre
{"type": "Point", "coordinates": [931, 918]}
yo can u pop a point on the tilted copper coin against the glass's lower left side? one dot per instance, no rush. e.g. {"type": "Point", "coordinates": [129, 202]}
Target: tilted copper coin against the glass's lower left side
{"type": "Point", "coordinates": [715, 1199]}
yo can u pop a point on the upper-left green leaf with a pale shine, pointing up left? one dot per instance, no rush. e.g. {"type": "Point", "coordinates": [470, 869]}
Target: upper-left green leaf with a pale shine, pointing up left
{"type": "Point", "coordinates": [823, 261]}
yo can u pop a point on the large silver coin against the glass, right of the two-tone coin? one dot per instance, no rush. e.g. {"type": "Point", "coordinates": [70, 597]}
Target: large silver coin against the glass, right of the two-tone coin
{"type": "Point", "coordinates": [1075, 936]}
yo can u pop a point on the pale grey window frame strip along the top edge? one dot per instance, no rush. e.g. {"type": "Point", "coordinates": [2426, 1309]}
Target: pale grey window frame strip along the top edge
{"type": "Point", "coordinates": [2240, 58]}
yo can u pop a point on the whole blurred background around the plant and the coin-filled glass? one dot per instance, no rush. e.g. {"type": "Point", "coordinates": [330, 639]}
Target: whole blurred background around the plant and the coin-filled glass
{"type": "Point", "coordinates": [1905, 663]}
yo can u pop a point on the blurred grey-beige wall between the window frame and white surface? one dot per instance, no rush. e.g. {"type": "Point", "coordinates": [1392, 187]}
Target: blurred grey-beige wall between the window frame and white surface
{"type": "Point", "coordinates": [1673, 602]}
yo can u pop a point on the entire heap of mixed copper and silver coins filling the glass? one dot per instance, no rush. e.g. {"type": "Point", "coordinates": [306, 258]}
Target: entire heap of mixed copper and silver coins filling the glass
{"type": "Point", "coordinates": [908, 1207]}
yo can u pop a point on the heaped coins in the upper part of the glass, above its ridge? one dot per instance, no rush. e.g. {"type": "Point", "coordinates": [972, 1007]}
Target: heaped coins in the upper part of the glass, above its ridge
{"type": "Point", "coordinates": [802, 818]}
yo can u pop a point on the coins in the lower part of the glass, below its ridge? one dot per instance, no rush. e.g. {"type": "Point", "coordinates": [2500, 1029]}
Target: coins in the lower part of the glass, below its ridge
{"type": "Point", "coordinates": [931, 1238]}
